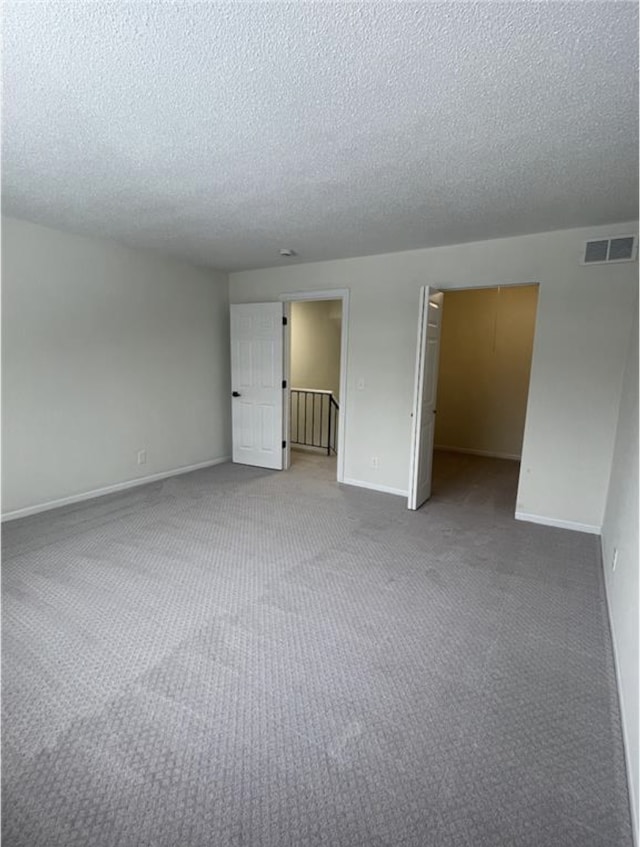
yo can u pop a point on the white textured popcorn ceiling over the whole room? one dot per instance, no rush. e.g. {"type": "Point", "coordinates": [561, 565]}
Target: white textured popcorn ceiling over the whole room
{"type": "Point", "coordinates": [222, 132]}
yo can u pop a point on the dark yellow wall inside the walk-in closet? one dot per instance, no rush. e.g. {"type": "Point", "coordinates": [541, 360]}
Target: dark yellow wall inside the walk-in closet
{"type": "Point", "coordinates": [486, 344]}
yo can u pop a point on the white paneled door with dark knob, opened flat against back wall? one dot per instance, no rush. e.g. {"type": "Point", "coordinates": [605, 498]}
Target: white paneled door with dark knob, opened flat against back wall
{"type": "Point", "coordinates": [256, 384]}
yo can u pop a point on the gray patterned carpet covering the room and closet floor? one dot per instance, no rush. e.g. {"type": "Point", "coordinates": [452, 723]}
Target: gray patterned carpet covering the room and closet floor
{"type": "Point", "coordinates": [243, 657]}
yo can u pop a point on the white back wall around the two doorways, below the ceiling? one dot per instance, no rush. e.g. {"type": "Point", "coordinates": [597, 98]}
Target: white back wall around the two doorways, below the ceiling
{"type": "Point", "coordinates": [582, 327]}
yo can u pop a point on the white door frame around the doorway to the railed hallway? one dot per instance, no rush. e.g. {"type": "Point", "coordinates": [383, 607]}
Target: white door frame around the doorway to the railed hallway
{"type": "Point", "coordinates": [326, 294]}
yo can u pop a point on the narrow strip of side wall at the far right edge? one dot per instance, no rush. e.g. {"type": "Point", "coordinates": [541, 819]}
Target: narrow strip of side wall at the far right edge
{"type": "Point", "coordinates": [620, 532]}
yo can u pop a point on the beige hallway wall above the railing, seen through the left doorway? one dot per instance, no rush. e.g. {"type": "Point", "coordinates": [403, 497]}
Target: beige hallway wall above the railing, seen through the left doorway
{"type": "Point", "coordinates": [315, 344]}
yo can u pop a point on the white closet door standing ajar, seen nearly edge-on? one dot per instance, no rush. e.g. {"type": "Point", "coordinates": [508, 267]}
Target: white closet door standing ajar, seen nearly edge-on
{"type": "Point", "coordinates": [424, 401]}
